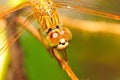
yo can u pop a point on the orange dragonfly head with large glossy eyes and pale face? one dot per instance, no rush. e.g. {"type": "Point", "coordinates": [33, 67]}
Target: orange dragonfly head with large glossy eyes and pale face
{"type": "Point", "coordinates": [59, 38]}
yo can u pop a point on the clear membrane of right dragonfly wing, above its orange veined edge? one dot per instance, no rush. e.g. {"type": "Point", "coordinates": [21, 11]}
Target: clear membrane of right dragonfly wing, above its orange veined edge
{"type": "Point", "coordinates": [110, 6]}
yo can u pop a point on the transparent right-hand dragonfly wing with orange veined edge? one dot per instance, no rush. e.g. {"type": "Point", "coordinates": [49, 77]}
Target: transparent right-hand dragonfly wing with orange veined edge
{"type": "Point", "coordinates": [104, 8]}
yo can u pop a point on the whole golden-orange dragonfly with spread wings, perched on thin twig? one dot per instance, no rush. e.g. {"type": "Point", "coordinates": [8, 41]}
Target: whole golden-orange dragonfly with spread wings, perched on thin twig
{"type": "Point", "coordinates": [44, 11]}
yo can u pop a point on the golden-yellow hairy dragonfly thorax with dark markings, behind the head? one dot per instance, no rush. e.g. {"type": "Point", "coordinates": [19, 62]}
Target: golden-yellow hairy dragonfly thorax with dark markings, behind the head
{"type": "Point", "coordinates": [46, 14]}
